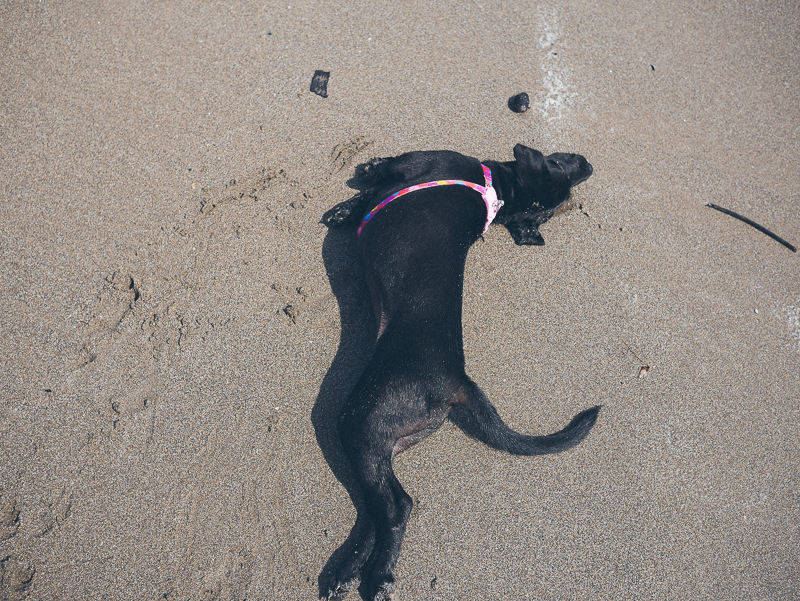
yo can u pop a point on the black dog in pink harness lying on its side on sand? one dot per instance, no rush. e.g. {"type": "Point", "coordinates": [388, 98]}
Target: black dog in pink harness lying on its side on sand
{"type": "Point", "coordinates": [413, 251]}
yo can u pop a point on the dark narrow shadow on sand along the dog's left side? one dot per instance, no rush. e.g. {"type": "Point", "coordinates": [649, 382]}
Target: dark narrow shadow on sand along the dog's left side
{"type": "Point", "coordinates": [342, 266]}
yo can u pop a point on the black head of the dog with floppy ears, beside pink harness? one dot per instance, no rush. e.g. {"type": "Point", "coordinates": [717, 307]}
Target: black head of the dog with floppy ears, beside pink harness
{"type": "Point", "coordinates": [542, 185]}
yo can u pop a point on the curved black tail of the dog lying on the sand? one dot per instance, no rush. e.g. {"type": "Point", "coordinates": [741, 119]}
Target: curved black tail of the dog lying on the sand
{"type": "Point", "coordinates": [478, 418]}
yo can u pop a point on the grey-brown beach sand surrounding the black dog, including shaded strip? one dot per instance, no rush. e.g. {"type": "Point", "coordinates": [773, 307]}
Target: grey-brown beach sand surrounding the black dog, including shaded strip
{"type": "Point", "coordinates": [176, 327]}
